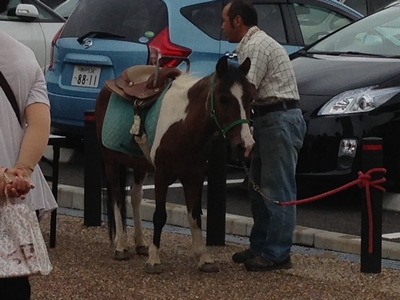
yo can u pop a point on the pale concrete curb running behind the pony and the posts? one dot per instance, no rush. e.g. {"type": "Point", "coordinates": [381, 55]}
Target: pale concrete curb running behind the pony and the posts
{"type": "Point", "coordinates": [73, 198]}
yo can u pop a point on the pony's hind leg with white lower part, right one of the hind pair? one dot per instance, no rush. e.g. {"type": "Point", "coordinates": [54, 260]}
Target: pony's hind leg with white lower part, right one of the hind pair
{"type": "Point", "coordinates": [136, 200]}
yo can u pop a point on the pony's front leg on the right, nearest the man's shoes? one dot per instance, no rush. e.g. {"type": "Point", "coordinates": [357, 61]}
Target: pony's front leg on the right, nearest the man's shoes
{"type": "Point", "coordinates": [192, 186]}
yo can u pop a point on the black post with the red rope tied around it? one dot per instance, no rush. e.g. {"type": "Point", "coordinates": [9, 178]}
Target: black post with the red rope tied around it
{"type": "Point", "coordinates": [371, 158]}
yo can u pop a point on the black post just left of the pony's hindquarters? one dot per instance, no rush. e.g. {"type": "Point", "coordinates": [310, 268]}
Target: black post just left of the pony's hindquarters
{"type": "Point", "coordinates": [92, 173]}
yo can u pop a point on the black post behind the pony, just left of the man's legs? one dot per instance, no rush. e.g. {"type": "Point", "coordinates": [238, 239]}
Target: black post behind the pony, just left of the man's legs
{"type": "Point", "coordinates": [216, 195]}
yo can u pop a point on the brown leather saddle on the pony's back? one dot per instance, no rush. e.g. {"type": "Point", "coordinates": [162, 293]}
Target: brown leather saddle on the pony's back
{"type": "Point", "coordinates": [142, 84]}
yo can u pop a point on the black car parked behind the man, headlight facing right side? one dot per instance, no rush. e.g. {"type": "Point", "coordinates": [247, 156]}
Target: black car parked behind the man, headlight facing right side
{"type": "Point", "coordinates": [349, 84]}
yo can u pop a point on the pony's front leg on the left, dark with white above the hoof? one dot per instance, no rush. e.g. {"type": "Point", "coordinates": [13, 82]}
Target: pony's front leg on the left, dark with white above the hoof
{"type": "Point", "coordinates": [153, 264]}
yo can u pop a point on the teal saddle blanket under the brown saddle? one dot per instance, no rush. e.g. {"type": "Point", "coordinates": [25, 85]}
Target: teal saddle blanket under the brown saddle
{"type": "Point", "coordinates": [118, 122]}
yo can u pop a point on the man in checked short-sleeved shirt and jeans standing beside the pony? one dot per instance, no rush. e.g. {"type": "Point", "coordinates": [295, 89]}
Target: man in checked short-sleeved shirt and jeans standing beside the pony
{"type": "Point", "coordinates": [279, 130]}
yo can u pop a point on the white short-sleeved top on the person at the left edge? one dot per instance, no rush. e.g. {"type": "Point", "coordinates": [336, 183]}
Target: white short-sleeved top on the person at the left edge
{"type": "Point", "coordinates": [25, 77]}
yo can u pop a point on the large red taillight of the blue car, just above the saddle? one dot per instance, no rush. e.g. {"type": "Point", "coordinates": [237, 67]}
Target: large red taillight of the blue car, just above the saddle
{"type": "Point", "coordinates": [161, 45]}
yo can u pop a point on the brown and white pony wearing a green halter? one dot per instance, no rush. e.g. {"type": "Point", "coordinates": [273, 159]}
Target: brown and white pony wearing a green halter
{"type": "Point", "coordinates": [192, 112]}
